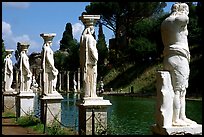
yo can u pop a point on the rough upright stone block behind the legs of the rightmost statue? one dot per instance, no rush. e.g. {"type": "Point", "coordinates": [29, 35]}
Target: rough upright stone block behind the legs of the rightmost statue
{"type": "Point", "coordinates": [165, 94]}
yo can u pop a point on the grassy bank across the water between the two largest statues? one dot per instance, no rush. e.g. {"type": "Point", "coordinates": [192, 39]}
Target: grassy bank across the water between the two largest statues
{"type": "Point", "coordinates": [142, 78]}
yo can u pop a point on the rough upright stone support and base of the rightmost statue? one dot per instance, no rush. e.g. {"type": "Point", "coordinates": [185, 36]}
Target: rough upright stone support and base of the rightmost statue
{"type": "Point", "coordinates": [164, 110]}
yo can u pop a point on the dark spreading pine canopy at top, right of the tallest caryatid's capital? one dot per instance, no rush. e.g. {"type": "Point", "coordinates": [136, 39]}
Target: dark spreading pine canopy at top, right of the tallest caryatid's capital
{"type": "Point", "coordinates": [119, 16]}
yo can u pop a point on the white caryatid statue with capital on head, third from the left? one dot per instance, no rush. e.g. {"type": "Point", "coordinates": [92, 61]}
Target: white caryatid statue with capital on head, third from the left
{"type": "Point", "coordinates": [49, 71]}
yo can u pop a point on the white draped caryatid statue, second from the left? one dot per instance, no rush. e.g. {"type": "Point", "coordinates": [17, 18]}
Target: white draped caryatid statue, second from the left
{"type": "Point", "coordinates": [26, 74]}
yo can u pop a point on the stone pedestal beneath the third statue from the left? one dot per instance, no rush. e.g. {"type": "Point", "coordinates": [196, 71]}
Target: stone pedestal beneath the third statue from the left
{"type": "Point", "coordinates": [51, 108]}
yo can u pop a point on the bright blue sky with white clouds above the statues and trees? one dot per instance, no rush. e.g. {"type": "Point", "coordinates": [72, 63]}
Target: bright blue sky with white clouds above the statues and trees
{"type": "Point", "coordinates": [25, 21]}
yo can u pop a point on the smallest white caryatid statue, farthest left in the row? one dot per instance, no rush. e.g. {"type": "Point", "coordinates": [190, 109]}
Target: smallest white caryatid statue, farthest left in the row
{"type": "Point", "coordinates": [8, 71]}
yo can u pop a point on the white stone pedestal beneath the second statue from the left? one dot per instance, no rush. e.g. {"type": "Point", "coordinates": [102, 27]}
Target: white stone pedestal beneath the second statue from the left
{"type": "Point", "coordinates": [26, 103]}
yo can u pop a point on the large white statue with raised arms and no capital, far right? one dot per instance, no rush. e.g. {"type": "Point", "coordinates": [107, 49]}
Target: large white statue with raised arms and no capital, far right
{"type": "Point", "coordinates": [176, 59]}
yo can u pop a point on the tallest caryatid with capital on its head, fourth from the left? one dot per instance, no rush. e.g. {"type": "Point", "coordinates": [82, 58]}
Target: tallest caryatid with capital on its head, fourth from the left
{"type": "Point", "coordinates": [89, 55]}
